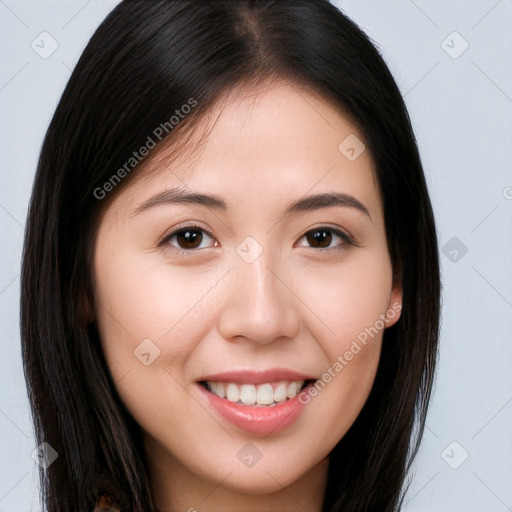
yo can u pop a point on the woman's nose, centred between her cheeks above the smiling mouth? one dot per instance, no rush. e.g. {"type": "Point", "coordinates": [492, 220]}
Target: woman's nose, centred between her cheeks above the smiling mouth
{"type": "Point", "coordinates": [260, 305]}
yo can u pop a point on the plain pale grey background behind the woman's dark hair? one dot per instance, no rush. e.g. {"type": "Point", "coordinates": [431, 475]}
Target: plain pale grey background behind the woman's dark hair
{"type": "Point", "coordinates": [462, 114]}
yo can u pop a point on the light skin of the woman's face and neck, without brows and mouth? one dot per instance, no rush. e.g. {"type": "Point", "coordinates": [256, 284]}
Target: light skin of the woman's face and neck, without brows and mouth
{"type": "Point", "coordinates": [295, 306]}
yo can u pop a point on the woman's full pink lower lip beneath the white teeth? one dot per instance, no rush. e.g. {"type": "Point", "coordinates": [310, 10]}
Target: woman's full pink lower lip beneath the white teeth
{"type": "Point", "coordinates": [260, 420]}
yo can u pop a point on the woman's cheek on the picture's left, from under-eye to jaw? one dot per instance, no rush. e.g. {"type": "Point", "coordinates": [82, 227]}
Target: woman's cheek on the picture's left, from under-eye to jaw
{"type": "Point", "coordinates": [150, 318]}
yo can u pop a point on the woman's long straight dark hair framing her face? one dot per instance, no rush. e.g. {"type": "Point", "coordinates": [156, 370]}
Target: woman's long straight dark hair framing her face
{"type": "Point", "coordinates": [145, 61]}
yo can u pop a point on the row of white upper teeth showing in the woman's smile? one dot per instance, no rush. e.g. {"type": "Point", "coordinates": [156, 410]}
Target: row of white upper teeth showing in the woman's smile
{"type": "Point", "coordinates": [262, 394]}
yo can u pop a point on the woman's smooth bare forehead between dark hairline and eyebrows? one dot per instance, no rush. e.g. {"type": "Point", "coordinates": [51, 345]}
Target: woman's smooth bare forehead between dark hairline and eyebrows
{"type": "Point", "coordinates": [265, 143]}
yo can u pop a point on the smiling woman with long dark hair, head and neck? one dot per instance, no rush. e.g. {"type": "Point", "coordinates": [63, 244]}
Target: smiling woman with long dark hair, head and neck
{"type": "Point", "coordinates": [230, 288]}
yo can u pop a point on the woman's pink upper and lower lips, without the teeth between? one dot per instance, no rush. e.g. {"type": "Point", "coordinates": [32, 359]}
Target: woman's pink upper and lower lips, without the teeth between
{"type": "Point", "coordinates": [260, 420]}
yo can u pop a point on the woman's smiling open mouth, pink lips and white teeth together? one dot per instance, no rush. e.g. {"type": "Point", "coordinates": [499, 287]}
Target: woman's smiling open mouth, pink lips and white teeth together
{"type": "Point", "coordinates": [260, 402]}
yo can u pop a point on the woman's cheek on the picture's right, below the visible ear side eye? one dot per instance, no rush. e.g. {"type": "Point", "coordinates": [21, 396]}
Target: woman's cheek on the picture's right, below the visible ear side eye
{"type": "Point", "coordinates": [351, 301]}
